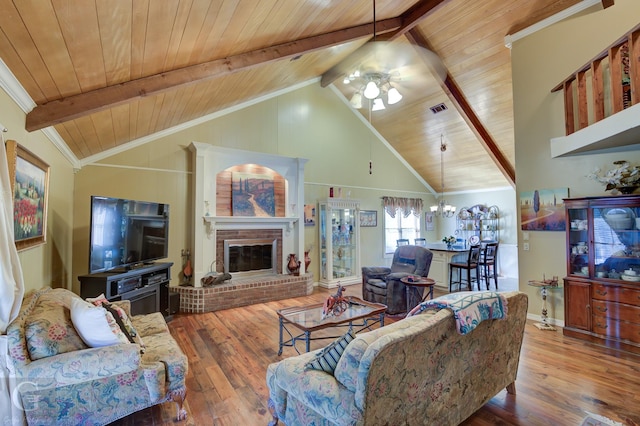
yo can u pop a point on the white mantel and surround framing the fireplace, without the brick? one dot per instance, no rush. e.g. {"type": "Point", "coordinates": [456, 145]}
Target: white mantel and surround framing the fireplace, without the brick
{"type": "Point", "coordinates": [208, 161]}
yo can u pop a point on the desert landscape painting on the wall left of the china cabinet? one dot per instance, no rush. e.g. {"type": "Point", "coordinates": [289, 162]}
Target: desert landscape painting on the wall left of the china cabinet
{"type": "Point", "coordinates": [543, 209]}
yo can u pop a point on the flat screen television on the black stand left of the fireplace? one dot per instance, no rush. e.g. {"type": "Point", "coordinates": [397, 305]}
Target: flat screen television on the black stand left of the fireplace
{"type": "Point", "coordinates": [125, 234]}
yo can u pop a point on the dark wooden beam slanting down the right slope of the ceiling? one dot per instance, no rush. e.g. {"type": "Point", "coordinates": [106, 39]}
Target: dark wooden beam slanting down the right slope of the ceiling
{"type": "Point", "coordinates": [456, 96]}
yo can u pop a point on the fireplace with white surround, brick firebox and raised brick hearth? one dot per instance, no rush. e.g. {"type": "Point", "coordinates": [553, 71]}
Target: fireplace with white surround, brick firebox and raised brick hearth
{"type": "Point", "coordinates": [214, 222]}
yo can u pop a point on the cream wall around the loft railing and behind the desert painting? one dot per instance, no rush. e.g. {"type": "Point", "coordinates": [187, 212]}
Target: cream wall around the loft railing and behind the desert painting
{"type": "Point", "coordinates": [540, 62]}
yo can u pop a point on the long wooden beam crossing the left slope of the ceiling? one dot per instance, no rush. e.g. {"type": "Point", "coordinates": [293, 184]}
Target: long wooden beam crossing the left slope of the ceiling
{"type": "Point", "coordinates": [83, 104]}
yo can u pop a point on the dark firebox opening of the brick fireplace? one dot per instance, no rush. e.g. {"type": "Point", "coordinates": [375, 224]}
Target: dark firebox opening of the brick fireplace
{"type": "Point", "coordinates": [250, 256]}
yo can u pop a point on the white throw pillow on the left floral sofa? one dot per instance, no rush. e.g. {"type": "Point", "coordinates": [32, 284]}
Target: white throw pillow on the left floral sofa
{"type": "Point", "coordinates": [95, 325]}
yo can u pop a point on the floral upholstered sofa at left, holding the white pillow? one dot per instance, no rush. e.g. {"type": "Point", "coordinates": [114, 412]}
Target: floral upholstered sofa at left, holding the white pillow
{"type": "Point", "coordinates": [61, 380]}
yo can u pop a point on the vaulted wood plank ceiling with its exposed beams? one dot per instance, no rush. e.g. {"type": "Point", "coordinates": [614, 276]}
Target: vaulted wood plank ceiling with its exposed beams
{"type": "Point", "coordinates": [105, 73]}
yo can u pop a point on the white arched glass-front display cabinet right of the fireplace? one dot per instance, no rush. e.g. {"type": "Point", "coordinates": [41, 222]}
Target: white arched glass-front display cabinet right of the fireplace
{"type": "Point", "coordinates": [339, 227]}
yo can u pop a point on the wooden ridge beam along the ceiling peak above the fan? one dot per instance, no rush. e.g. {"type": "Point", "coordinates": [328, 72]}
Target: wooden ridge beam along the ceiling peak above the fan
{"type": "Point", "coordinates": [409, 19]}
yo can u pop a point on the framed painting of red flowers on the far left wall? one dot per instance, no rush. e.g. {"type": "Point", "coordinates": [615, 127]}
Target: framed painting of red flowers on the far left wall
{"type": "Point", "coordinates": [29, 176]}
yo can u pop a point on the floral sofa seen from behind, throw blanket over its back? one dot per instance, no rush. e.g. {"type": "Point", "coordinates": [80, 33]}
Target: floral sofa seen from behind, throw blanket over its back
{"type": "Point", "coordinates": [433, 367]}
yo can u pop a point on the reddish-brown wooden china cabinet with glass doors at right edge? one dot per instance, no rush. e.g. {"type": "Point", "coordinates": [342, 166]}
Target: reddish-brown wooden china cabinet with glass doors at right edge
{"type": "Point", "coordinates": [602, 286]}
